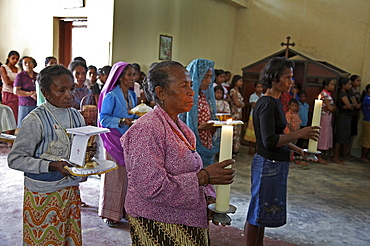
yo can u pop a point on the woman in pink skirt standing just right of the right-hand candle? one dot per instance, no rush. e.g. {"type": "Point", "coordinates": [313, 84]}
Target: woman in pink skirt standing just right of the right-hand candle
{"type": "Point", "coordinates": [328, 108]}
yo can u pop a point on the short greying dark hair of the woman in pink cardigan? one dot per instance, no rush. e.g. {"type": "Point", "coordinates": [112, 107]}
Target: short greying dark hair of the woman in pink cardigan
{"type": "Point", "coordinates": [159, 75]}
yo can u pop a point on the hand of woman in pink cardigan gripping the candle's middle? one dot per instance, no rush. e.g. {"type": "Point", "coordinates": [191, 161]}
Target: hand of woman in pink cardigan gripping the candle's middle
{"type": "Point", "coordinates": [218, 174]}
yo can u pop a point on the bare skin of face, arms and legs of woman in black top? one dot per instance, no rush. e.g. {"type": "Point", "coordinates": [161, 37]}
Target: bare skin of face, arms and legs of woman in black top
{"type": "Point", "coordinates": [255, 234]}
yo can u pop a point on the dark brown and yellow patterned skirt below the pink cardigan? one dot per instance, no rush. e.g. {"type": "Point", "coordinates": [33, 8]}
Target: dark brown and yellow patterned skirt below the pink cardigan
{"type": "Point", "coordinates": [146, 232]}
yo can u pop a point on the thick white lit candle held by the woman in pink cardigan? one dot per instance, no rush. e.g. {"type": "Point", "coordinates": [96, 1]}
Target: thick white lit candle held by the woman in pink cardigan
{"type": "Point", "coordinates": [226, 147]}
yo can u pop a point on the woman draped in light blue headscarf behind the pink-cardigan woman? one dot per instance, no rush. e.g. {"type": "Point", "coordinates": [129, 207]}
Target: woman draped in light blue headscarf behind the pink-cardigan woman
{"type": "Point", "coordinates": [204, 109]}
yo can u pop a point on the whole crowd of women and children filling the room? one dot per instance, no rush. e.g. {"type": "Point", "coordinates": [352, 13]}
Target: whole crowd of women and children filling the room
{"type": "Point", "coordinates": [177, 177]}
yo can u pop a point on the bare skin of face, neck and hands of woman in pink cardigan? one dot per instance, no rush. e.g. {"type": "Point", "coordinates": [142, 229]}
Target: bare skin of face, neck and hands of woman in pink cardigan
{"type": "Point", "coordinates": [178, 98]}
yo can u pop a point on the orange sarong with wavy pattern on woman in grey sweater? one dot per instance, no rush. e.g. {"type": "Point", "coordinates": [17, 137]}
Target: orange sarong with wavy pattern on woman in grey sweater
{"type": "Point", "coordinates": [52, 218]}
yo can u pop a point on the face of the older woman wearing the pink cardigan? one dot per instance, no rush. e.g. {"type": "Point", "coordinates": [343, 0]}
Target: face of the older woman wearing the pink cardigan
{"type": "Point", "coordinates": [178, 97]}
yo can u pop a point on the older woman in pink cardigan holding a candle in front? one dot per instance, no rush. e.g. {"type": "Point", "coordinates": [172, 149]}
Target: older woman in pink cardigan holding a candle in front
{"type": "Point", "coordinates": [167, 187]}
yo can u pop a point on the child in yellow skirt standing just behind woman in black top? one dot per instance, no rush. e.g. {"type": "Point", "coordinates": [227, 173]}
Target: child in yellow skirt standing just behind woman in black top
{"type": "Point", "coordinates": [249, 133]}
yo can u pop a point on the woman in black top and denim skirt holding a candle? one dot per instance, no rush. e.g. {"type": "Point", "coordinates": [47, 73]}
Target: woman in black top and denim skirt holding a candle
{"type": "Point", "coordinates": [270, 165]}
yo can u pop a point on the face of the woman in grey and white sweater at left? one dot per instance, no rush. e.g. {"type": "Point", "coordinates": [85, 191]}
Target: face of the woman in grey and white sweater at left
{"type": "Point", "coordinates": [61, 92]}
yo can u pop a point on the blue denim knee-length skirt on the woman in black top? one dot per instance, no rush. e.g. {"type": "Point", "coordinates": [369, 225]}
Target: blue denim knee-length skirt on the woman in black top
{"type": "Point", "coordinates": [267, 207]}
